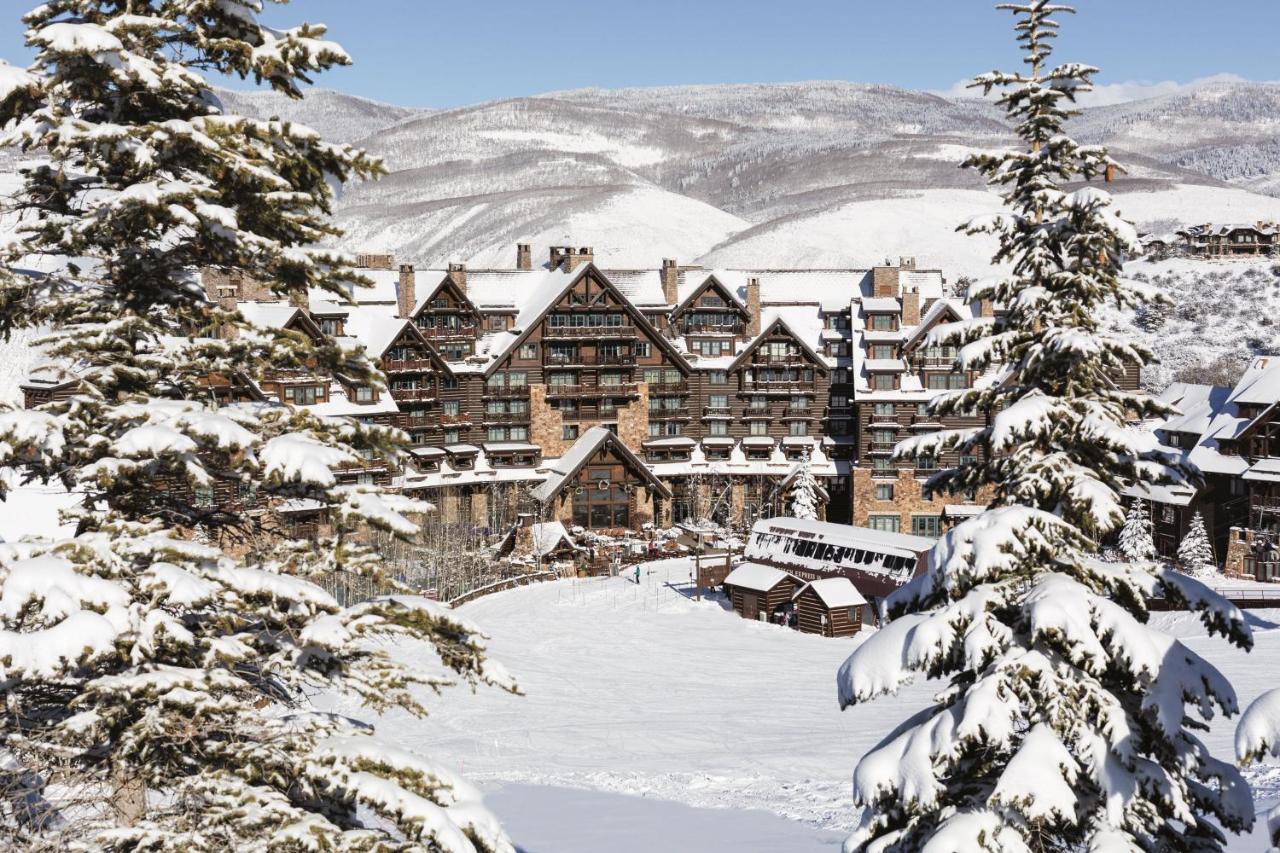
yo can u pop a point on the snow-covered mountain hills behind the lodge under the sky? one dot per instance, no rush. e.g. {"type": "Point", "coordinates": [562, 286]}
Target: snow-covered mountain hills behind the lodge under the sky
{"type": "Point", "coordinates": [824, 174]}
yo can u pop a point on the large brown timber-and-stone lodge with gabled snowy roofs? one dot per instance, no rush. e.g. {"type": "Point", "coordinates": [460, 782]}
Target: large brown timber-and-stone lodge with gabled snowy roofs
{"type": "Point", "coordinates": [616, 398]}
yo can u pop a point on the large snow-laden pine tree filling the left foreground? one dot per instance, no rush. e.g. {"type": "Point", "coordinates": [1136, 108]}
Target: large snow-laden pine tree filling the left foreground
{"type": "Point", "coordinates": [157, 668]}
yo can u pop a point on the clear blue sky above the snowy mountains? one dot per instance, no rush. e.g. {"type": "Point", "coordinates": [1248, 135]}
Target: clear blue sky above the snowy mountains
{"type": "Point", "coordinates": [427, 53]}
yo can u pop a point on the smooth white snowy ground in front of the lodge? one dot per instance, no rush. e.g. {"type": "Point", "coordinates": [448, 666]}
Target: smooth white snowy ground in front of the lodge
{"type": "Point", "coordinates": [642, 692]}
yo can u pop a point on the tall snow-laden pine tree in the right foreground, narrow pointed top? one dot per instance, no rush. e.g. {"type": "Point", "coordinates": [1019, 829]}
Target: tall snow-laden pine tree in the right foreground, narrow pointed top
{"type": "Point", "coordinates": [1067, 722]}
